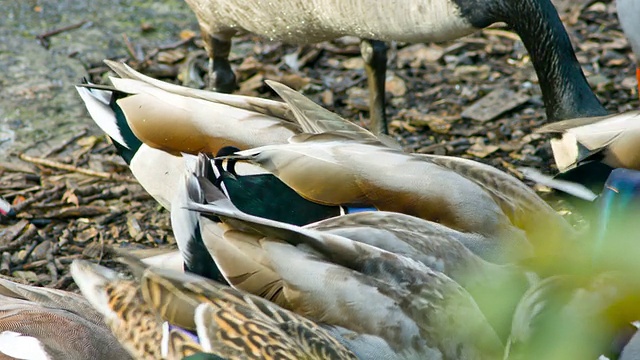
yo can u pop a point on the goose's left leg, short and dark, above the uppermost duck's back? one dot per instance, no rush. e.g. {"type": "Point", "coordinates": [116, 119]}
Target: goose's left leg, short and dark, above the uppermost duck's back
{"type": "Point", "coordinates": [221, 77]}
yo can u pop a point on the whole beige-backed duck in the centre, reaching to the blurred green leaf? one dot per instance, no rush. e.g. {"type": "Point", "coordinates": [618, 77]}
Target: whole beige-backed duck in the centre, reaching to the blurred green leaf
{"type": "Point", "coordinates": [334, 169]}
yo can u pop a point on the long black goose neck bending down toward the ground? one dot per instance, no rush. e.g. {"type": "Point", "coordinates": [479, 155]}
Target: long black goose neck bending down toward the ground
{"type": "Point", "coordinates": [565, 90]}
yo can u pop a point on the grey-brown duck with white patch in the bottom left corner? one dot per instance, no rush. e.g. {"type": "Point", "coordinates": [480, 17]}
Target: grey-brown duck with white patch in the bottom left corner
{"type": "Point", "coordinates": [41, 323]}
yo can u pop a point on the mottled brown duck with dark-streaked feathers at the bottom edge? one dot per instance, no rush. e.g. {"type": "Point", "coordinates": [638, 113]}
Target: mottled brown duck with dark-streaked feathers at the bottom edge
{"type": "Point", "coordinates": [228, 322]}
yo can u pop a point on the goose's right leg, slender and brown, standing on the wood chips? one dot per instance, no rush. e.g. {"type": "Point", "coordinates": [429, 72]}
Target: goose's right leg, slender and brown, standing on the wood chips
{"type": "Point", "coordinates": [374, 53]}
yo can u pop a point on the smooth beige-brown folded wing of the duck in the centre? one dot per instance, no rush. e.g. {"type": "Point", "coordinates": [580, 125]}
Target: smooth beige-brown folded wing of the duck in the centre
{"type": "Point", "coordinates": [349, 172]}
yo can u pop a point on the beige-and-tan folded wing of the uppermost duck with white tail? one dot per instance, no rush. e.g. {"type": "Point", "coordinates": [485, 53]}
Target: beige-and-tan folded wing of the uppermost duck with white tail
{"type": "Point", "coordinates": [177, 123]}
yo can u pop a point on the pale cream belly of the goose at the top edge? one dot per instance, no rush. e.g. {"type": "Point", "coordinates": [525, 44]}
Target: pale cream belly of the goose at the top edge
{"type": "Point", "coordinates": [296, 21]}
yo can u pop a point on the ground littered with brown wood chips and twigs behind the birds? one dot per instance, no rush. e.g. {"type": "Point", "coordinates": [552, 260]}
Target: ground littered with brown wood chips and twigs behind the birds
{"type": "Point", "coordinates": [82, 196]}
